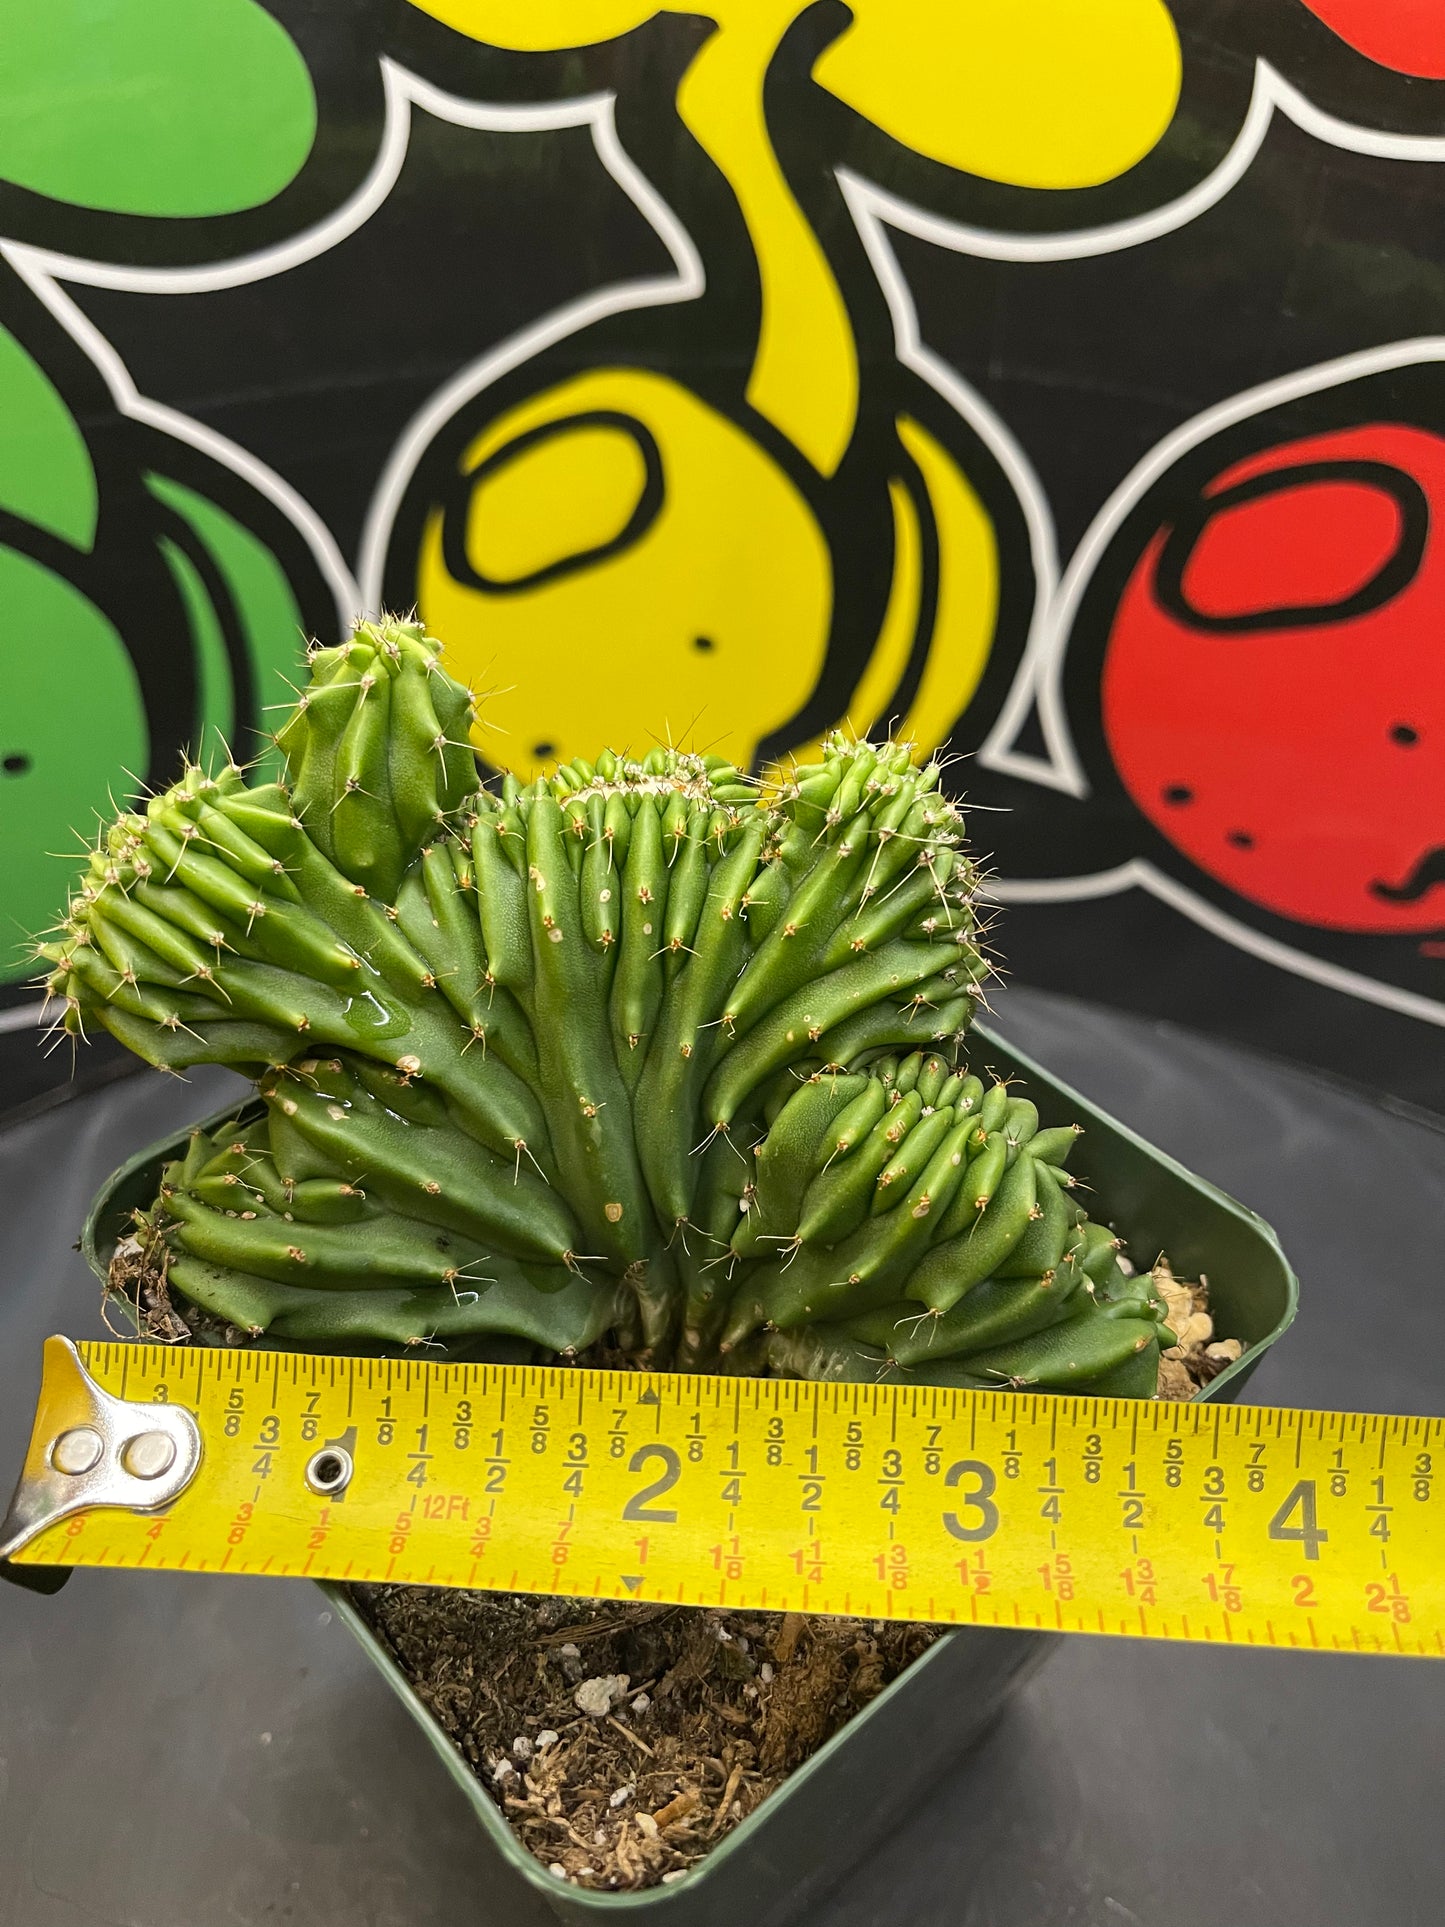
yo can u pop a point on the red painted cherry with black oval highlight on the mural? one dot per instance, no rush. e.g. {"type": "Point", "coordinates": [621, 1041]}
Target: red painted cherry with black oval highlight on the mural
{"type": "Point", "coordinates": [1274, 685]}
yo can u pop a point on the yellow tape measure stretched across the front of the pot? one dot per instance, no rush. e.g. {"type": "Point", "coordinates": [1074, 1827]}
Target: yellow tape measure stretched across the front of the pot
{"type": "Point", "coordinates": [1238, 1525]}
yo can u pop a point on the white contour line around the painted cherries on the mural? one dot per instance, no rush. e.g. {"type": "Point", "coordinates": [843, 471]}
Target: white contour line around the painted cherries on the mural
{"type": "Point", "coordinates": [874, 211]}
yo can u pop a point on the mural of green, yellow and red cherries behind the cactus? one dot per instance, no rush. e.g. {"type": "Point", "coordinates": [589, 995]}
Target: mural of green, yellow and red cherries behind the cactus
{"type": "Point", "coordinates": [1059, 381]}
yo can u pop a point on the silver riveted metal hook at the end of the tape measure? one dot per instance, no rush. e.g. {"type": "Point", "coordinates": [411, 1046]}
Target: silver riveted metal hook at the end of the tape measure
{"type": "Point", "coordinates": [92, 1448]}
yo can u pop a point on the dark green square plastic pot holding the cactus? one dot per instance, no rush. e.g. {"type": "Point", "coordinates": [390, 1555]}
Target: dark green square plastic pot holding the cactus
{"type": "Point", "coordinates": [847, 1799]}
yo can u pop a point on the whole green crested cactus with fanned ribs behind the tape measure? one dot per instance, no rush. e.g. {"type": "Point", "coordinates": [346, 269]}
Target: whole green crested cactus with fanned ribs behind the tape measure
{"type": "Point", "coordinates": [643, 1055]}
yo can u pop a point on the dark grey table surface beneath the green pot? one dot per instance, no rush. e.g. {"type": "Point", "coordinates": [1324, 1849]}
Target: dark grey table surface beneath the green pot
{"type": "Point", "coordinates": [203, 1753]}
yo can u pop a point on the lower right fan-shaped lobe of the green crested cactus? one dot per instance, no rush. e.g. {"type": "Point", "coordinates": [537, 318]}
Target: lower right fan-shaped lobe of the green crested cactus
{"type": "Point", "coordinates": [933, 1246]}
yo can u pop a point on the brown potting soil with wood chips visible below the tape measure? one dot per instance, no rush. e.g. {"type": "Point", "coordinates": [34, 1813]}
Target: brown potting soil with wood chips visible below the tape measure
{"type": "Point", "coordinates": [710, 1712]}
